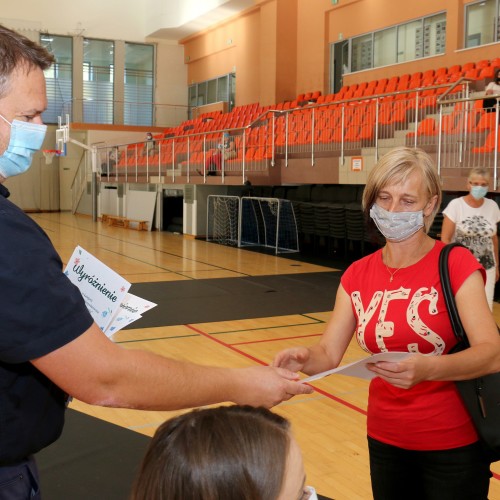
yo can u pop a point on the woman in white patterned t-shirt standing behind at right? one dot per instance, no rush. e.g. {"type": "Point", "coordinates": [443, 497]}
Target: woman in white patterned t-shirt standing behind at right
{"type": "Point", "coordinates": [472, 220]}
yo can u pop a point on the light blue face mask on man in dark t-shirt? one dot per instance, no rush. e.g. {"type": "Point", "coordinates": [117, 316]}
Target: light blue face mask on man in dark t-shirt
{"type": "Point", "coordinates": [25, 140]}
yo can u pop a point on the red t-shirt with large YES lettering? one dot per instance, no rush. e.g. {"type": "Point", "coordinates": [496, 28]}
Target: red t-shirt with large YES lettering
{"type": "Point", "coordinates": [409, 314]}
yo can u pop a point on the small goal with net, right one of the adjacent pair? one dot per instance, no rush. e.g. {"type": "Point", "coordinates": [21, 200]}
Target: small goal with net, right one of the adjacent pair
{"type": "Point", "coordinates": [269, 223]}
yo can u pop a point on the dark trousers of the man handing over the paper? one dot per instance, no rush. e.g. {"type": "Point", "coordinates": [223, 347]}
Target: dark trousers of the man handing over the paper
{"type": "Point", "coordinates": [20, 481]}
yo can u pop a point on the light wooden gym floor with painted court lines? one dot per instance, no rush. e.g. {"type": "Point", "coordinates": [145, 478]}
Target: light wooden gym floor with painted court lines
{"type": "Point", "coordinates": [328, 424]}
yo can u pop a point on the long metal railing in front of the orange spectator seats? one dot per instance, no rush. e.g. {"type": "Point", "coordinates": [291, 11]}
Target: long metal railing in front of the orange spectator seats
{"type": "Point", "coordinates": [445, 120]}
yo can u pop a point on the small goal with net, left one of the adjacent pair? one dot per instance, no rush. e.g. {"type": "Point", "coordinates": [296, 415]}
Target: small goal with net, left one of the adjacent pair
{"type": "Point", "coordinates": [222, 219]}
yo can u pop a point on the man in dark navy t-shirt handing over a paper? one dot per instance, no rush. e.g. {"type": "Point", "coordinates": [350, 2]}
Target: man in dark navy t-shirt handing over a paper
{"type": "Point", "coordinates": [49, 345]}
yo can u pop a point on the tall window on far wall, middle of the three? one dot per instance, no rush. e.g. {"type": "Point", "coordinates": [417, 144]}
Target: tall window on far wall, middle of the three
{"type": "Point", "coordinates": [98, 74]}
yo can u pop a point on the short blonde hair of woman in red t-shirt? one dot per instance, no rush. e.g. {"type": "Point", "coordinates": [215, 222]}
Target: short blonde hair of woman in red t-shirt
{"type": "Point", "coordinates": [394, 168]}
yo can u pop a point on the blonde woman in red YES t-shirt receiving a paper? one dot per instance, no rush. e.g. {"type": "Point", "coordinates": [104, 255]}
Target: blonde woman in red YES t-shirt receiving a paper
{"type": "Point", "coordinates": [421, 440]}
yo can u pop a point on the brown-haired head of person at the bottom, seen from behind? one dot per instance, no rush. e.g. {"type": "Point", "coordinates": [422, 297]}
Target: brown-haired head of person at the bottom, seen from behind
{"type": "Point", "coordinates": [228, 452]}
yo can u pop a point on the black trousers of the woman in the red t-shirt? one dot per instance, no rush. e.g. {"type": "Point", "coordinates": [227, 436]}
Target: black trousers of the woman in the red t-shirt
{"type": "Point", "coordinates": [457, 474]}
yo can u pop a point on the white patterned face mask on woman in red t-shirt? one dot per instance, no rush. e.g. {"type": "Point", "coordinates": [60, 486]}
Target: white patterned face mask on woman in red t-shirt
{"type": "Point", "coordinates": [397, 226]}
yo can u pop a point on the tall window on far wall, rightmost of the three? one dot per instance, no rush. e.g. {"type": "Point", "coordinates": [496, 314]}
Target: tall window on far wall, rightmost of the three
{"type": "Point", "coordinates": [139, 84]}
